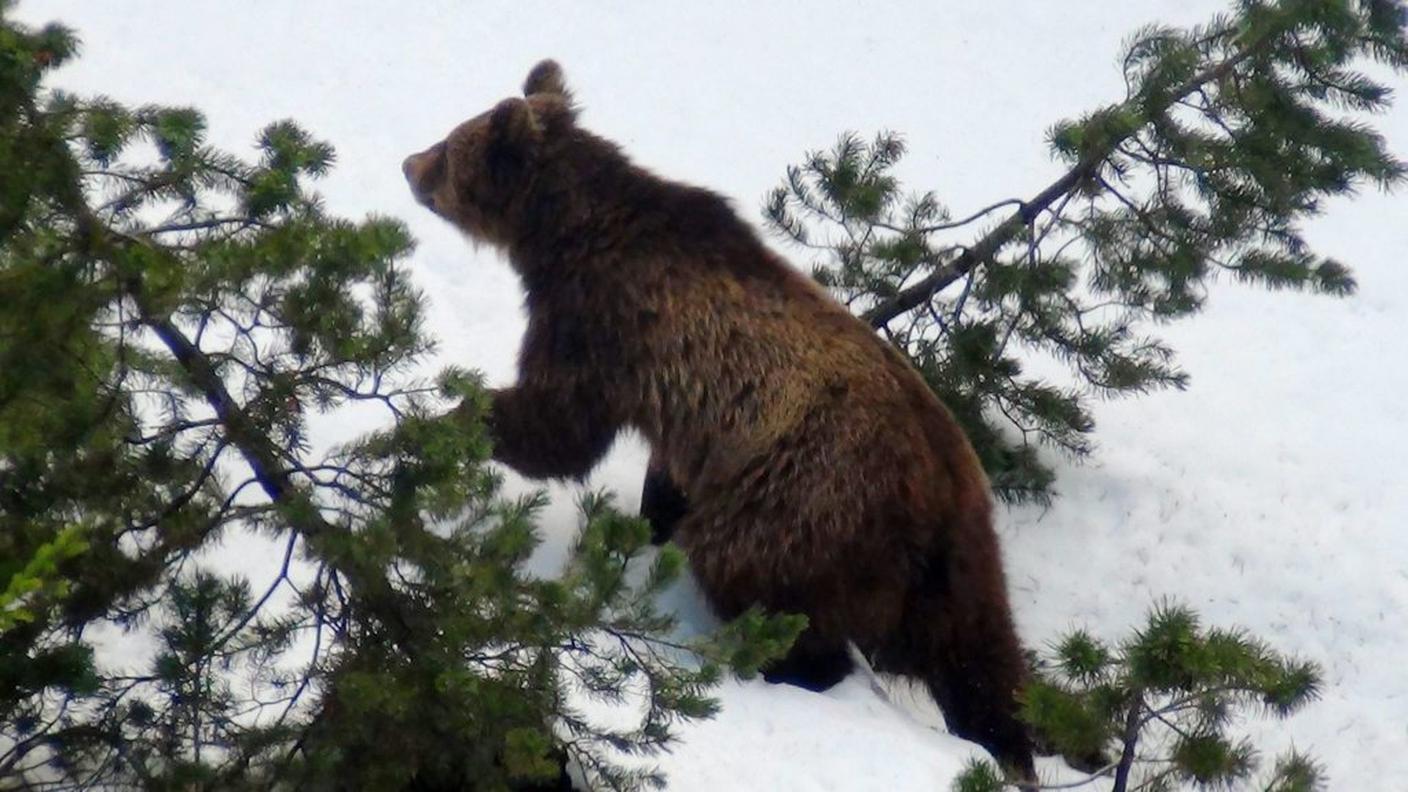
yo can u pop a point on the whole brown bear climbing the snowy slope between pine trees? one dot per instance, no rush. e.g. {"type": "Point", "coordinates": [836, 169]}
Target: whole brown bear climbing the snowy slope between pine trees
{"type": "Point", "coordinates": [823, 476]}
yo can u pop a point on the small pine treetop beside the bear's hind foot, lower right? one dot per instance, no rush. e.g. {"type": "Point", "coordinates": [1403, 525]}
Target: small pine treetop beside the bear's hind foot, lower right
{"type": "Point", "coordinates": [1152, 715]}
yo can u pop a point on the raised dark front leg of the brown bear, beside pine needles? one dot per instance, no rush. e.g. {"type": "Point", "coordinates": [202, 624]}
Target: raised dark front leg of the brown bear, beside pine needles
{"type": "Point", "coordinates": [547, 433]}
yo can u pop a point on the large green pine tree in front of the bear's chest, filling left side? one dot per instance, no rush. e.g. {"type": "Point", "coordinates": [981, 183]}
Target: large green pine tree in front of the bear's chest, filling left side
{"type": "Point", "coordinates": [171, 319]}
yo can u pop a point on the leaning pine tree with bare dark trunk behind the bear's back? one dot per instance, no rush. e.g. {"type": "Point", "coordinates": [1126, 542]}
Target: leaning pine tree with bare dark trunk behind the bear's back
{"type": "Point", "coordinates": [1230, 136]}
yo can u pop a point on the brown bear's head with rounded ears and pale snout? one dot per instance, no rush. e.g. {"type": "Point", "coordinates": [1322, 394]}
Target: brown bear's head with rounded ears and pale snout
{"type": "Point", "coordinates": [484, 175]}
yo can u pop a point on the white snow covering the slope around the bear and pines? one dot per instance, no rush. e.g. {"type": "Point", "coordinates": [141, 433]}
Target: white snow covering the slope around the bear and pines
{"type": "Point", "coordinates": [1269, 495]}
